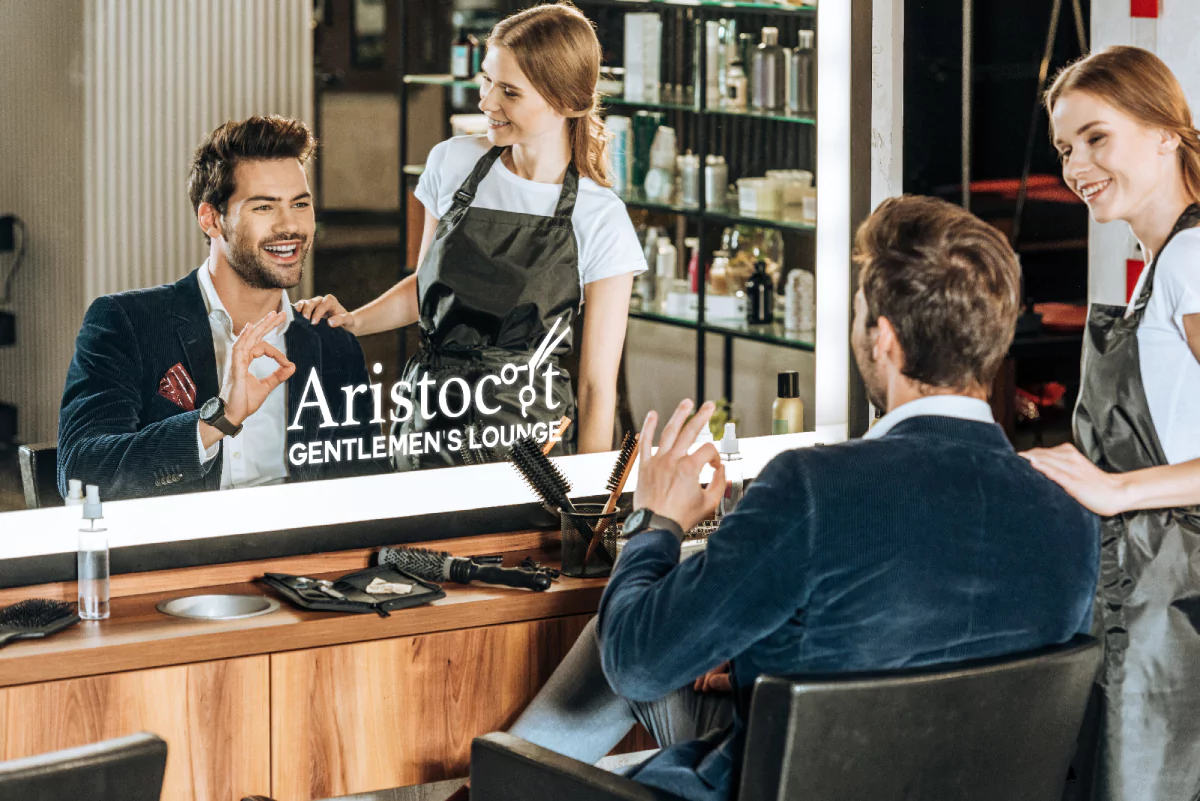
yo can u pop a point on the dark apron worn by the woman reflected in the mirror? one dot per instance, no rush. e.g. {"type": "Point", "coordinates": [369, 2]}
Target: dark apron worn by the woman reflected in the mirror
{"type": "Point", "coordinates": [497, 291]}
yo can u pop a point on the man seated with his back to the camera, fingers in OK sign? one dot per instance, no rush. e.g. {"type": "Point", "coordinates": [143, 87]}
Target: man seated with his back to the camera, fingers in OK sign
{"type": "Point", "coordinates": [929, 541]}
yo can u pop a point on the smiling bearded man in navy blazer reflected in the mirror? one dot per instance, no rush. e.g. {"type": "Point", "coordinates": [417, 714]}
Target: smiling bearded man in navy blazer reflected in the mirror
{"type": "Point", "coordinates": [189, 387]}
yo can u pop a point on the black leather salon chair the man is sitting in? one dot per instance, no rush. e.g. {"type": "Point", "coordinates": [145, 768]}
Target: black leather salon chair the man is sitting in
{"type": "Point", "coordinates": [989, 731]}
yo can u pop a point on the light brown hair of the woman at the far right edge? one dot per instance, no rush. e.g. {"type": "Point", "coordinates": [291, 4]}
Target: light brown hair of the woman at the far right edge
{"type": "Point", "coordinates": [1139, 85]}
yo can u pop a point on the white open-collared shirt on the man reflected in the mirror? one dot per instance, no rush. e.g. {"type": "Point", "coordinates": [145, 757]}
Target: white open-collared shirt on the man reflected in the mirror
{"type": "Point", "coordinates": [257, 455]}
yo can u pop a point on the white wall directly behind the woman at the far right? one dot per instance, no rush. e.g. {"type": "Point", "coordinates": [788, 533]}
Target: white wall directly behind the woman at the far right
{"type": "Point", "coordinates": [1175, 38]}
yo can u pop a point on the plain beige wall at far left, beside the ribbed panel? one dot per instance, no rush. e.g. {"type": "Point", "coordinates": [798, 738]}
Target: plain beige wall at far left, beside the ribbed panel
{"type": "Point", "coordinates": [41, 182]}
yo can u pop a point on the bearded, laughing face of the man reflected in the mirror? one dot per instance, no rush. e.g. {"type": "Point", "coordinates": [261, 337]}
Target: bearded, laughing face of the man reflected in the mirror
{"type": "Point", "coordinates": [269, 224]}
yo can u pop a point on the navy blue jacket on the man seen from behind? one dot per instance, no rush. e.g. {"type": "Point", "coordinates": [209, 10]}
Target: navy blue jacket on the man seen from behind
{"type": "Point", "coordinates": [934, 544]}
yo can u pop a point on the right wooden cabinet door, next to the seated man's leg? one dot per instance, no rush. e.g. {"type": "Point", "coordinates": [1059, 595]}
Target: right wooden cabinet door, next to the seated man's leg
{"type": "Point", "coordinates": [369, 716]}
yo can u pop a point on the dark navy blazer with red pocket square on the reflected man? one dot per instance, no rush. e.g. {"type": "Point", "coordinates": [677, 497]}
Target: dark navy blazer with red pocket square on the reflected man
{"type": "Point", "coordinates": [117, 432]}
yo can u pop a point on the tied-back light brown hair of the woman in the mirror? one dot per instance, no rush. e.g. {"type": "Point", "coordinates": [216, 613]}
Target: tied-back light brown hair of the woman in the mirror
{"type": "Point", "coordinates": [557, 50]}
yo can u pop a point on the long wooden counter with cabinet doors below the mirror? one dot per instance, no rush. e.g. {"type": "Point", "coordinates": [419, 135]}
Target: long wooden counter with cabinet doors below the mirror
{"type": "Point", "coordinates": [295, 704]}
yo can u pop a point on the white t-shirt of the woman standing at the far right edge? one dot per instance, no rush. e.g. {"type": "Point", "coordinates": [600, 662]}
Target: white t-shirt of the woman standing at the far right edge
{"type": "Point", "coordinates": [1171, 374]}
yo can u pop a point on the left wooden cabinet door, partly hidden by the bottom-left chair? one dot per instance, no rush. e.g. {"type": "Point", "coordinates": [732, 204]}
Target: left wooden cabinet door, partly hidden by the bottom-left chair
{"type": "Point", "coordinates": [214, 718]}
